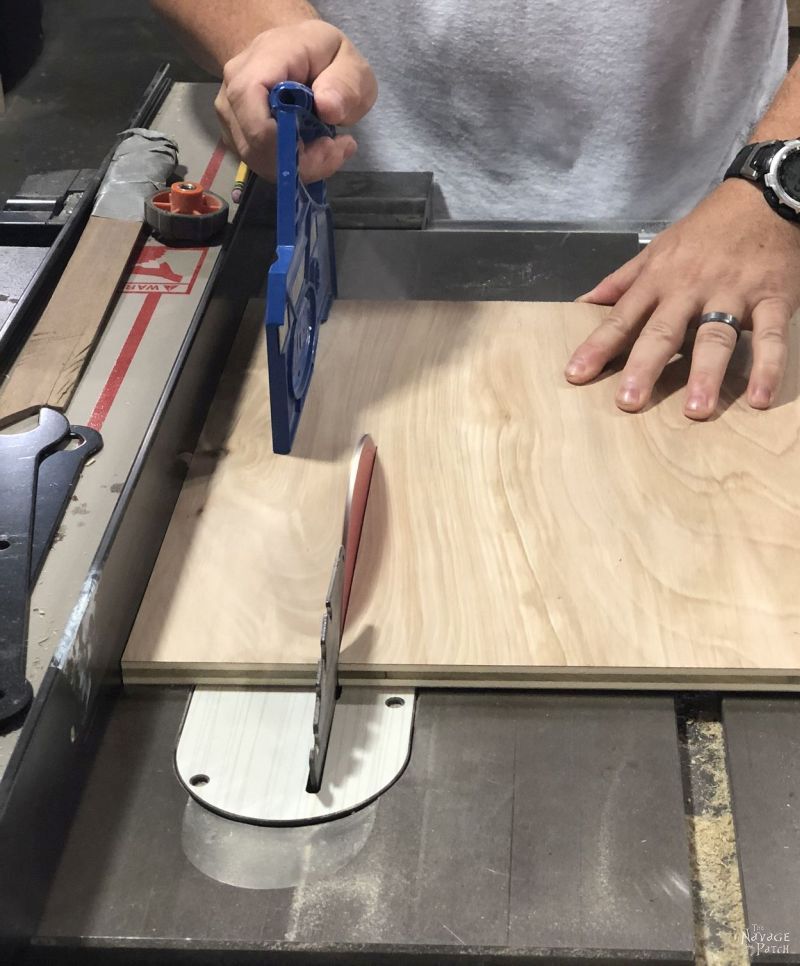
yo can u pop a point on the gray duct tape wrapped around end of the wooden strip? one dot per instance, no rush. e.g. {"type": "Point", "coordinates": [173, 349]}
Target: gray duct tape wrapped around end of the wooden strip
{"type": "Point", "coordinates": [140, 166]}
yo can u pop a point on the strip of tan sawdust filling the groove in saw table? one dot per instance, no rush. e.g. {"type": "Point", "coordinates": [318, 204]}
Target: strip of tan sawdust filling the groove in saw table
{"type": "Point", "coordinates": [719, 920]}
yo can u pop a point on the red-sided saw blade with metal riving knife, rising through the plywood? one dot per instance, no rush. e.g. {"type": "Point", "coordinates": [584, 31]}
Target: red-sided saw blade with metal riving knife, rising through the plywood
{"type": "Point", "coordinates": [336, 603]}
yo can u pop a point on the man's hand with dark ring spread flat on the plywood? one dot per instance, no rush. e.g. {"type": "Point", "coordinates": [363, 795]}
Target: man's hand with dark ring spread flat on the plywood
{"type": "Point", "coordinates": [731, 254]}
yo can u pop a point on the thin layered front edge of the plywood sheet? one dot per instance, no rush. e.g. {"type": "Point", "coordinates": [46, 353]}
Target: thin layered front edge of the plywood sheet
{"type": "Point", "coordinates": [512, 678]}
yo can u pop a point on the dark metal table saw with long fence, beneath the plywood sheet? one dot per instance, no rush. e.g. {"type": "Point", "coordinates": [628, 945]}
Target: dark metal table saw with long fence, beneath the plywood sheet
{"type": "Point", "coordinates": [525, 826]}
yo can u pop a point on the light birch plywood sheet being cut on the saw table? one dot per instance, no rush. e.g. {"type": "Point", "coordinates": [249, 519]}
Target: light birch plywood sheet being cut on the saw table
{"type": "Point", "coordinates": [519, 530]}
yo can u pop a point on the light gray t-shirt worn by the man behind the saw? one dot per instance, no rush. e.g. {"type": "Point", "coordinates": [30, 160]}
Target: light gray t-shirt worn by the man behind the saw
{"type": "Point", "coordinates": [564, 109]}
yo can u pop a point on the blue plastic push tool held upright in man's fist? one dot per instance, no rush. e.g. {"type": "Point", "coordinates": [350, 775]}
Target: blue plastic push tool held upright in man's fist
{"type": "Point", "coordinates": [302, 280]}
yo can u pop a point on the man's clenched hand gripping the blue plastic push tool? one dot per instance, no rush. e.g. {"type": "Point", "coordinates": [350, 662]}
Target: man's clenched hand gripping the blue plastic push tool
{"type": "Point", "coordinates": [314, 53]}
